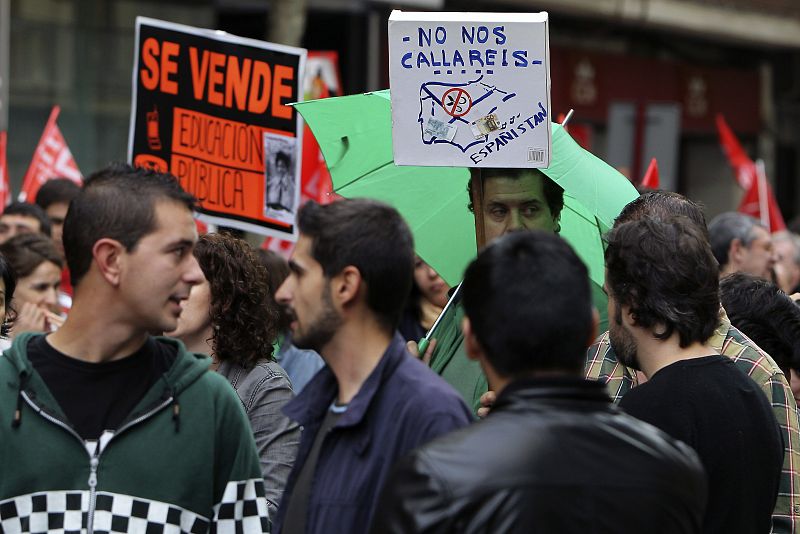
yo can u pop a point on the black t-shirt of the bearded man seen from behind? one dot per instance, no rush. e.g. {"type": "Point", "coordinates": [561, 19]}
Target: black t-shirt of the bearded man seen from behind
{"type": "Point", "coordinates": [719, 411]}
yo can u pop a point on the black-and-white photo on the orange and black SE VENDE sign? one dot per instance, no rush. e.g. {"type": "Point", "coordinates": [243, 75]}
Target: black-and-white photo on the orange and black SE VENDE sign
{"type": "Point", "coordinates": [281, 177]}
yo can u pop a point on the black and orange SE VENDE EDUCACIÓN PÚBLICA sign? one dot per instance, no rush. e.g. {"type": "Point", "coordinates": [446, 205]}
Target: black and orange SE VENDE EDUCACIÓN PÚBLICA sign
{"type": "Point", "coordinates": [211, 108]}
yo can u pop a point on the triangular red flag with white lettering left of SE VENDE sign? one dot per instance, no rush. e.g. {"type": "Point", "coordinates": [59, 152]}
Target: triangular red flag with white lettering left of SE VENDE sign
{"type": "Point", "coordinates": [52, 159]}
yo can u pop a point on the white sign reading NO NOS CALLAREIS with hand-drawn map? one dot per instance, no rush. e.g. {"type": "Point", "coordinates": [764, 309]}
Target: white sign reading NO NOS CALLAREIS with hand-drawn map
{"type": "Point", "coordinates": [470, 89]}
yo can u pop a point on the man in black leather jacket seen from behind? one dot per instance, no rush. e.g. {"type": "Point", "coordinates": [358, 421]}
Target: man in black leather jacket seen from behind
{"type": "Point", "coordinates": [554, 455]}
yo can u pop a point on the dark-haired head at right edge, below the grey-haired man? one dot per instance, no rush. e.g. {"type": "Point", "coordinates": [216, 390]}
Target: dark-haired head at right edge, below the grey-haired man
{"type": "Point", "coordinates": [765, 314]}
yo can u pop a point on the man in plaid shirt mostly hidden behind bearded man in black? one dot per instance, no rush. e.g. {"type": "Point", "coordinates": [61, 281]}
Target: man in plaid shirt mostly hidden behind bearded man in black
{"type": "Point", "coordinates": [603, 364]}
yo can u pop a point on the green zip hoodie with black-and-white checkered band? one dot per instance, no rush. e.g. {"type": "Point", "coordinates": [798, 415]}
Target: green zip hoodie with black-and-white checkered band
{"type": "Point", "coordinates": [184, 461]}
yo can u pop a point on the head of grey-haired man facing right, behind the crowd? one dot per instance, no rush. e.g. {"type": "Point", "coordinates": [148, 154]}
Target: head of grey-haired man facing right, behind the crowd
{"type": "Point", "coordinates": [741, 244]}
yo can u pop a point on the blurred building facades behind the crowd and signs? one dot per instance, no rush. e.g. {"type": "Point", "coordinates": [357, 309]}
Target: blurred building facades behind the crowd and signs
{"type": "Point", "coordinates": [645, 77]}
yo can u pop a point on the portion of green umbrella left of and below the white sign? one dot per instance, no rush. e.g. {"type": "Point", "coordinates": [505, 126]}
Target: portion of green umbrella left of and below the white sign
{"type": "Point", "coordinates": [355, 135]}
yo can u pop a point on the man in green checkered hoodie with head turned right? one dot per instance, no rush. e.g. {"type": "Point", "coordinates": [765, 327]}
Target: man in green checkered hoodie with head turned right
{"type": "Point", "coordinates": [103, 426]}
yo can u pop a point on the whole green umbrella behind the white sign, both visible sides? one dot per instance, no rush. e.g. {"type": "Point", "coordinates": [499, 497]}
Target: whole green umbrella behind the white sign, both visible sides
{"type": "Point", "coordinates": [354, 133]}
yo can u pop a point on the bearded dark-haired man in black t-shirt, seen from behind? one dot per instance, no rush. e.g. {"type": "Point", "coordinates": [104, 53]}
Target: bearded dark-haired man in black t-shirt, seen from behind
{"type": "Point", "coordinates": [663, 287]}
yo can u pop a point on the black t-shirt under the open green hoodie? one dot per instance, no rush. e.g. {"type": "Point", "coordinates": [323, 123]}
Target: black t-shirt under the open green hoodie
{"type": "Point", "coordinates": [97, 397]}
